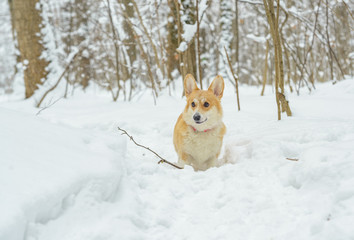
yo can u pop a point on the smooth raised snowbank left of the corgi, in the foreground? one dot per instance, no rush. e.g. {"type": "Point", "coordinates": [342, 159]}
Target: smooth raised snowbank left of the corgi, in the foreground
{"type": "Point", "coordinates": [45, 167]}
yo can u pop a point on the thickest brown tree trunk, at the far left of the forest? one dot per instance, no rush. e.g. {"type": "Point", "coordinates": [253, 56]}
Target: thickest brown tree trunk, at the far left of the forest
{"type": "Point", "coordinates": [27, 20]}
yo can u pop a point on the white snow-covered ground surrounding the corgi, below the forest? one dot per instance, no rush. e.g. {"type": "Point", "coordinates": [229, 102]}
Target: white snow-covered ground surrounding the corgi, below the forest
{"type": "Point", "coordinates": [68, 174]}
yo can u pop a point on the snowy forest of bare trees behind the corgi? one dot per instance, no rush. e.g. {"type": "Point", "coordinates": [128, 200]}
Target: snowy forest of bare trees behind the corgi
{"type": "Point", "coordinates": [129, 46]}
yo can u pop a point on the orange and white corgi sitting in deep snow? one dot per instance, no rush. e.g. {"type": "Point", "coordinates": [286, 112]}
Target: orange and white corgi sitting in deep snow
{"type": "Point", "coordinates": [199, 131]}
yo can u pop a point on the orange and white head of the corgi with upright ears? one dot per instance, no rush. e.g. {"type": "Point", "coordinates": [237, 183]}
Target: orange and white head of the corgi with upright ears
{"type": "Point", "coordinates": [203, 110]}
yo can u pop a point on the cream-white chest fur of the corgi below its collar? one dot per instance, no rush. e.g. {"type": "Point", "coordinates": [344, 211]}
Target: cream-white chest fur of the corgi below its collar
{"type": "Point", "coordinates": [202, 147]}
